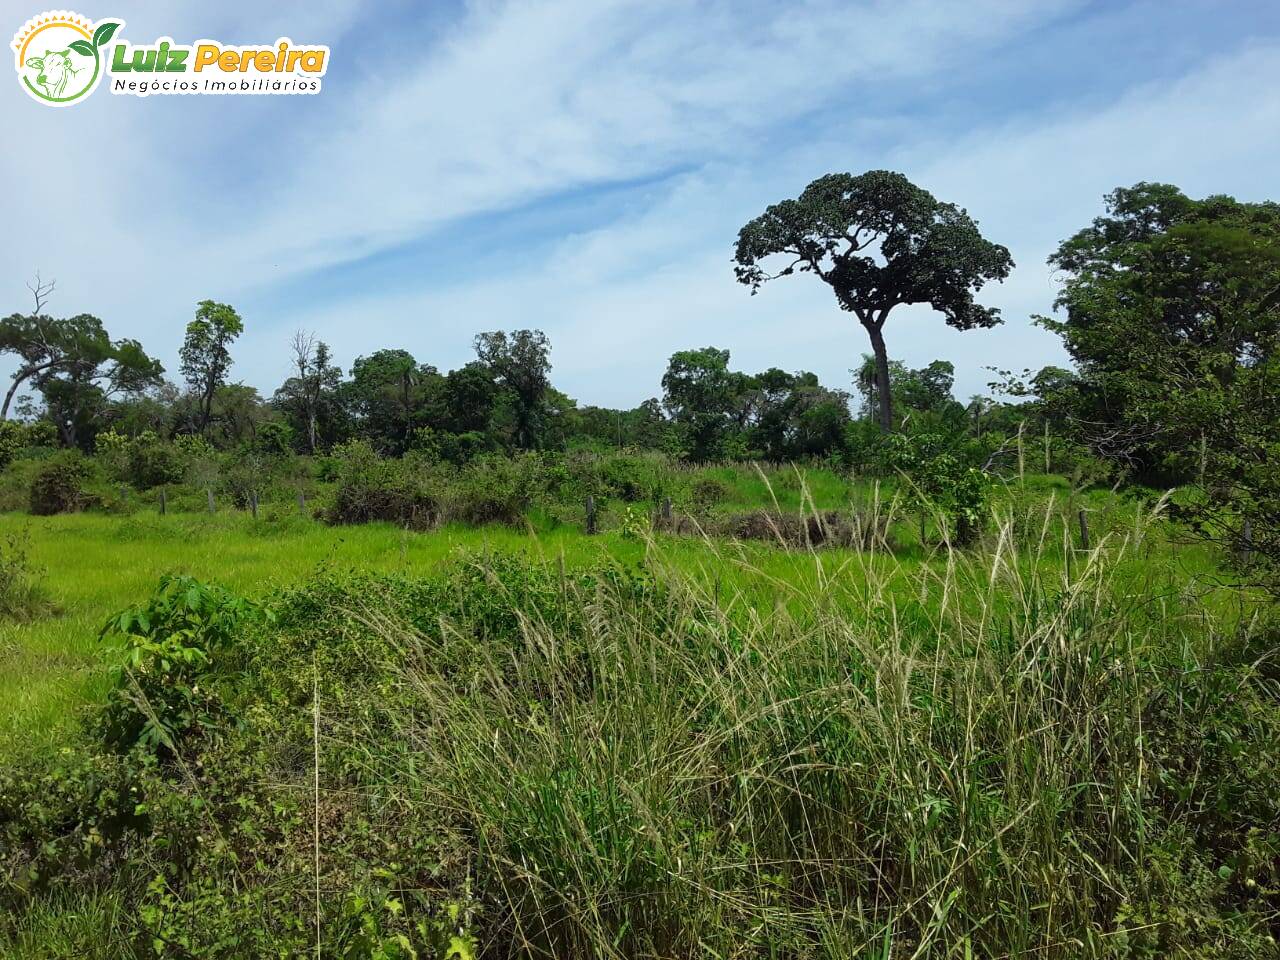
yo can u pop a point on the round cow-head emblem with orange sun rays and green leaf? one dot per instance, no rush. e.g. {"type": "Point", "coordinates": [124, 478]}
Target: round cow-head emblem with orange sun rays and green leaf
{"type": "Point", "coordinates": [61, 56]}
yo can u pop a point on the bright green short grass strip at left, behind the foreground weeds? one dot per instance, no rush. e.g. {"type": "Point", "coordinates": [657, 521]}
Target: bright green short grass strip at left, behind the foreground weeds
{"type": "Point", "coordinates": [95, 565]}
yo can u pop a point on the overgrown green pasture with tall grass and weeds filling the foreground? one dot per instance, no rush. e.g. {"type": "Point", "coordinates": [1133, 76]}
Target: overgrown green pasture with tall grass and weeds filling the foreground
{"type": "Point", "coordinates": [502, 742]}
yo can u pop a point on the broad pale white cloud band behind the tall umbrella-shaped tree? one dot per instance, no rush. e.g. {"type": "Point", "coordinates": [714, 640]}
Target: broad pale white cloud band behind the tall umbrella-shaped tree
{"type": "Point", "coordinates": [619, 300]}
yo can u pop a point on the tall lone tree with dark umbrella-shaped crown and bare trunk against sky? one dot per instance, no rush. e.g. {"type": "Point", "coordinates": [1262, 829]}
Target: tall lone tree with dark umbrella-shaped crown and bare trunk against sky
{"type": "Point", "coordinates": [879, 241]}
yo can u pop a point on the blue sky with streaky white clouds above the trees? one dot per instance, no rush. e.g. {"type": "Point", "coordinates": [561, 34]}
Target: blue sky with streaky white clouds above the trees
{"type": "Point", "coordinates": [583, 167]}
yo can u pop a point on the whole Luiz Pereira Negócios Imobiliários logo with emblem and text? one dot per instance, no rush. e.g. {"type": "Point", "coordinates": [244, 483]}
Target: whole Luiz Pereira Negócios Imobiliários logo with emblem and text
{"type": "Point", "coordinates": [62, 57]}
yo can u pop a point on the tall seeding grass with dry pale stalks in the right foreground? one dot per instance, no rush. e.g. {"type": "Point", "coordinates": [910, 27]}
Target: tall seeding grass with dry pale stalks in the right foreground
{"type": "Point", "coordinates": [958, 770]}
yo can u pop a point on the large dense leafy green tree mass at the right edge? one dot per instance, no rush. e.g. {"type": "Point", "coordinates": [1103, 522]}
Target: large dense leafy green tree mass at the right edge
{"type": "Point", "coordinates": [1172, 310]}
